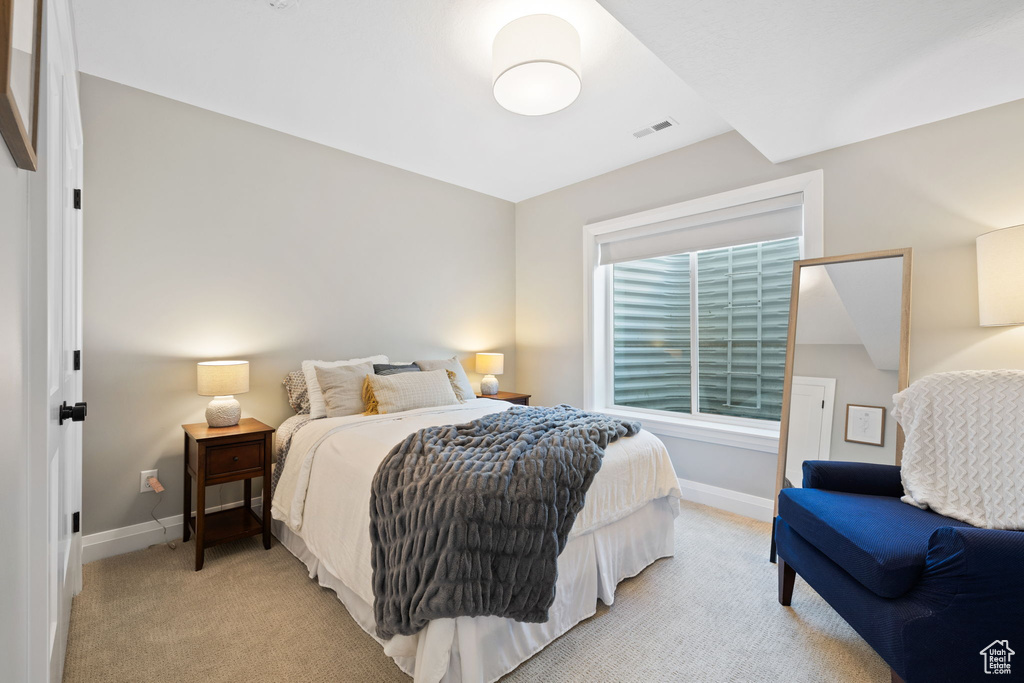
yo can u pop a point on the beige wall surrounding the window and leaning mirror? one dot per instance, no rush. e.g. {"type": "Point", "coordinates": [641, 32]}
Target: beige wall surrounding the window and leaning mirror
{"type": "Point", "coordinates": [934, 189]}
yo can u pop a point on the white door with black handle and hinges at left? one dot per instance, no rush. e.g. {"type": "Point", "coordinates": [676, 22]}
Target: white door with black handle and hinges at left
{"type": "Point", "coordinates": [64, 444]}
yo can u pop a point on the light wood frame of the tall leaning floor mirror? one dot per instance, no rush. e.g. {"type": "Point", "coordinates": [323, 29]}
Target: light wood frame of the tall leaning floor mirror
{"type": "Point", "coordinates": [905, 348]}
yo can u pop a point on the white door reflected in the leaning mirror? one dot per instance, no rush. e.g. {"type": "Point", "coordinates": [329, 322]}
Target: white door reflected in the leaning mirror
{"type": "Point", "coordinates": [812, 405]}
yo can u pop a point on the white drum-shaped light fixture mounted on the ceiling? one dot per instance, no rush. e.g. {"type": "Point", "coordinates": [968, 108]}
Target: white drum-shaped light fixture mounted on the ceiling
{"type": "Point", "coordinates": [537, 65]}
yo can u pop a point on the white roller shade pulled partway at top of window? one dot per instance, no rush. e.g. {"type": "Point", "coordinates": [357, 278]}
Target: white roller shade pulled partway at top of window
{"type": "Point", "coordinates": [776, 219]}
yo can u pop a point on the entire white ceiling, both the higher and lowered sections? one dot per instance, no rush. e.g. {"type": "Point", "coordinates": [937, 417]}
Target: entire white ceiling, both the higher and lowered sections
{"type": "Point", "coordinates": [408, 82]}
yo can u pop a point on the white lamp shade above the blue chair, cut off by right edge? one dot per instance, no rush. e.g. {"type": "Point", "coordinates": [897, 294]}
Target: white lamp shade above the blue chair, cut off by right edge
{"type": "Point", "coordinates": [1001, 277]}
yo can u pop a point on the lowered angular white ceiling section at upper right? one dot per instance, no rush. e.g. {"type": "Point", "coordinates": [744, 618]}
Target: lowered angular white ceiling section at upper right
{"type": "Point", "coordinates": [802, 76]}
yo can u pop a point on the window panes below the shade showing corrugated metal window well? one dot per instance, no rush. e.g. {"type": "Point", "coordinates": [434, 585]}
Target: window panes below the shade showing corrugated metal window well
{"type": "Point", "coordinates": [722, 312]}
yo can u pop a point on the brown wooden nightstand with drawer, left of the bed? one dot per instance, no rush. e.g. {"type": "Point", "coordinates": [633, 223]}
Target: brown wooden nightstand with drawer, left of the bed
{"type": "Point", "coordinates": [220, 455]}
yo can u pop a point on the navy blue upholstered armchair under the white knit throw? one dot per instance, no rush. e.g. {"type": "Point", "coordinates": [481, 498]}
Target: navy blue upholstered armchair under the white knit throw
{"type": "Point", "coordinates": [929, 593]}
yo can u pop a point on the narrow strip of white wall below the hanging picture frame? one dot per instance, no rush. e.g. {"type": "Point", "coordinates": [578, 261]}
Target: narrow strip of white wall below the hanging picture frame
{"type": "Point", "coordinates": [15, 227]}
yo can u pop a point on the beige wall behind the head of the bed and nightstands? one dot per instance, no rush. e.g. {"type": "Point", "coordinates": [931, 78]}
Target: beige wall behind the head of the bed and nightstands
{"type": "Point", "coordinates": [210, 238]}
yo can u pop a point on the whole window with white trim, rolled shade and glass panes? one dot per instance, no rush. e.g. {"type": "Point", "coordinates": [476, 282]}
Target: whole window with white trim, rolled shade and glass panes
{"type": "Point", "coordinates": [689, 311]}
